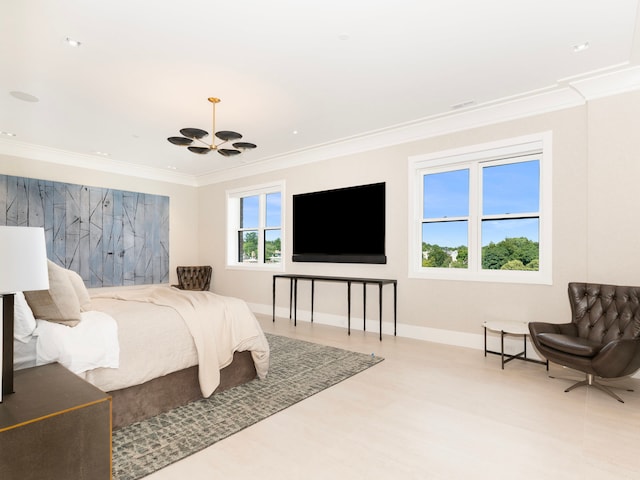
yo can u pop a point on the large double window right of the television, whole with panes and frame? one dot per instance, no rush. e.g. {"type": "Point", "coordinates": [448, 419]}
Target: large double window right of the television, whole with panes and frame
{"type": "Point", "coordinates": [483, 213]}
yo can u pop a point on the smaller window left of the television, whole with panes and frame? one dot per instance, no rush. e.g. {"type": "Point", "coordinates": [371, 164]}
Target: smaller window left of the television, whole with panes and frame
{"type": "Point", "coordinates": [254, 226]}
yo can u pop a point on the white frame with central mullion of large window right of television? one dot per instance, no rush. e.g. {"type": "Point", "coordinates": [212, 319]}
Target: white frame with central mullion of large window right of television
{"type": "Point", "coordinates": [494, 153]}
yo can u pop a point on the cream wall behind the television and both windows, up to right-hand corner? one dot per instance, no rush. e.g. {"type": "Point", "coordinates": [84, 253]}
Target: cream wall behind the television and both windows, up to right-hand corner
{"type": "Point", "coordinates": [427, 308]}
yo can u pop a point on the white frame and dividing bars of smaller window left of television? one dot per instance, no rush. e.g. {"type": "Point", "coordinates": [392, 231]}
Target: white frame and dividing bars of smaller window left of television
{"type": "Point", "coordinates": [233, 205]}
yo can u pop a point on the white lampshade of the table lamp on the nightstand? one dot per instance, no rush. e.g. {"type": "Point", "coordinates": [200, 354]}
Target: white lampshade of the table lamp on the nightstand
{"type": "Point", "coordinates": [23, 259]}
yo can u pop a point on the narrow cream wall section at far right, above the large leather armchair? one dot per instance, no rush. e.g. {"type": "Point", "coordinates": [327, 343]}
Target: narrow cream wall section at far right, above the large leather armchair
{"type": "Point", "coordinates": [613, 228]}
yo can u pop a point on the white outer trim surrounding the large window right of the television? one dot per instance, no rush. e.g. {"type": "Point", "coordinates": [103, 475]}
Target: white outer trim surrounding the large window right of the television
{"type": "Point", "coordinates": [494, 150]}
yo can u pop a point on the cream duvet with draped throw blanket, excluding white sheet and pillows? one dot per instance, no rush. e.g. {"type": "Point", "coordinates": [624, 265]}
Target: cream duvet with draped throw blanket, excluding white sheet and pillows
{"type": "Point", "coordinates": [157, 327]}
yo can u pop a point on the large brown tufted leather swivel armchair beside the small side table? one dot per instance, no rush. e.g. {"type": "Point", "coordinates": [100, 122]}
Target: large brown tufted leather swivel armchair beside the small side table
{"type": "Point", "coordinates": [603, 338]}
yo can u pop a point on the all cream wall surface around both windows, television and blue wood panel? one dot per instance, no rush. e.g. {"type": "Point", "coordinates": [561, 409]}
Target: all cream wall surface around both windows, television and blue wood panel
{"type": "Point", "coordinates": [596, 174]}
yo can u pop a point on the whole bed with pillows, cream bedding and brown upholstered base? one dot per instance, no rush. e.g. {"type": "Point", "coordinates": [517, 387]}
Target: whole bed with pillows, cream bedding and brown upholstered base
{"type": "Point", "coordinates": [152, 348]}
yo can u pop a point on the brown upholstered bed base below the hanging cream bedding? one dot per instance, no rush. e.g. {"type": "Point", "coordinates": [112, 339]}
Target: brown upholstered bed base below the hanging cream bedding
{"type": "Point", "coordinates": [159, 395]}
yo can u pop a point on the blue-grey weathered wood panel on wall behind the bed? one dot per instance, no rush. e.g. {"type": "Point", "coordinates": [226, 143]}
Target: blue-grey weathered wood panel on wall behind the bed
{"type": "Point", "coordinates": [110, 237]}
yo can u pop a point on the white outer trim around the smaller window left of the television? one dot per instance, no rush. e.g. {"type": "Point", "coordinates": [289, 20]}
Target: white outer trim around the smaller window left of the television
{"type": "Point", "coordinates": [233, 225]}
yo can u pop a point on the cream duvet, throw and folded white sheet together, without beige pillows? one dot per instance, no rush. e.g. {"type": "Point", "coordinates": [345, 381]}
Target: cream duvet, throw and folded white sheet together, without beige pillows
{"type": "Point", "coordinates": [120, 343]}
